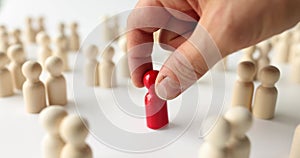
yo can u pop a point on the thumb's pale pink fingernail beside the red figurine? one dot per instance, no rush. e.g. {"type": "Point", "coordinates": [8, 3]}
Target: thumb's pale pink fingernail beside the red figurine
{"type": "Point", "coordinates": [167, 89]}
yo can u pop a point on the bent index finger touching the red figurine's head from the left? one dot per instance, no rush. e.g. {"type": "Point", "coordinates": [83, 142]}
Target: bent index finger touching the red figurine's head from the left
{"type": "Point", "coordinates": [144, 20]}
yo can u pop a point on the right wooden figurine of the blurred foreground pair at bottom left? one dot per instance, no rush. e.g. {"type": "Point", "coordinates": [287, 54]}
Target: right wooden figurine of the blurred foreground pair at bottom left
{"type": "Point", "coordinates": [74, 131]}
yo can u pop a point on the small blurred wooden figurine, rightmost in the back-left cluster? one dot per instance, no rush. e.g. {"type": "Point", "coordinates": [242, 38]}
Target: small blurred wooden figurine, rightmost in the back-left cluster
{"type": "Point", "coordinates": [74, 41]}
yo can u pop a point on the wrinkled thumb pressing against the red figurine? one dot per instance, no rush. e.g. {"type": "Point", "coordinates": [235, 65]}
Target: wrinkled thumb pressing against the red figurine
{"type": "Point", "coordinates": [187, 64]}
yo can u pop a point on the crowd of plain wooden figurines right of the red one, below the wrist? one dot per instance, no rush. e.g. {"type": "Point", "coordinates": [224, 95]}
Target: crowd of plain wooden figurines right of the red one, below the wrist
{"type": "Point", "coordinates": [228, 137]}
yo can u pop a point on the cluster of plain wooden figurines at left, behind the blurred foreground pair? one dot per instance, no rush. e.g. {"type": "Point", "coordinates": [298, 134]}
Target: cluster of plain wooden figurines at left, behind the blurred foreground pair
{"type": "Point", "coordinates": [21, 74]}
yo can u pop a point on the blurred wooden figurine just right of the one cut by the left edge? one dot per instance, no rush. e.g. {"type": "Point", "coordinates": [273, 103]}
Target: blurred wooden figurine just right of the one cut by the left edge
{"type": "Point", "coordinates": [17, 58]}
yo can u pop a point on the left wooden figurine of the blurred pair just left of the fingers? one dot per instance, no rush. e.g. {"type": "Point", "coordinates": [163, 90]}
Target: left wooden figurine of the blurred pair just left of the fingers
{"type": "Point", "coordinates": [92, 65]}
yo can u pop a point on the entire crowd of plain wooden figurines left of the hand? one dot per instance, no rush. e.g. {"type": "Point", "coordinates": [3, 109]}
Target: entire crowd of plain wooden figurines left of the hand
{"type": "Point", "coordinates": [21, 75]}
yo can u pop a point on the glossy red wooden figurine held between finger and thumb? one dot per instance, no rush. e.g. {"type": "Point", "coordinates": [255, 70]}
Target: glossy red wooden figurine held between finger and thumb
{"type": "Point", "coordinates": [156, 108]}
